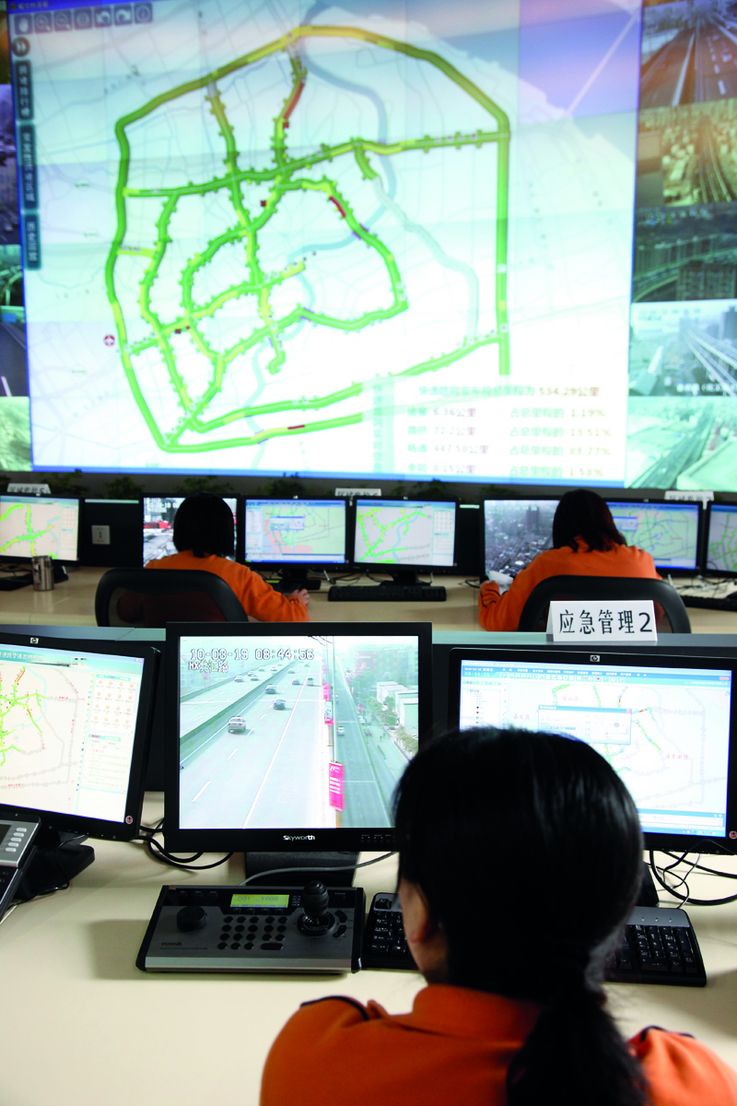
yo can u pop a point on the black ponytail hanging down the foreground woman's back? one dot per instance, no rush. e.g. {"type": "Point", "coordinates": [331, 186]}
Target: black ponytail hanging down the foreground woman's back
{"type": "Point", "coordinates": [577, 1055]}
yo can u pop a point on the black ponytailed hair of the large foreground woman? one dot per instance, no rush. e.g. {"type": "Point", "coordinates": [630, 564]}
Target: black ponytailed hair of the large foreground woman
{"type": "Point", "coordinates": [528, 850]}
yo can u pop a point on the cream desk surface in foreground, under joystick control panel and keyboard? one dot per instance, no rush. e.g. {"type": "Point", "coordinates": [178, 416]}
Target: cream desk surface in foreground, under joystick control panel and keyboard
{"type": "Point", "coordinates": [85, 1027]}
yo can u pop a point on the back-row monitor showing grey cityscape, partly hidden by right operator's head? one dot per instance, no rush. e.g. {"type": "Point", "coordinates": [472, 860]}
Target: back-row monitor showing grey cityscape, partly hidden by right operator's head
{"type": "Point", "coordinates": [515, 531]}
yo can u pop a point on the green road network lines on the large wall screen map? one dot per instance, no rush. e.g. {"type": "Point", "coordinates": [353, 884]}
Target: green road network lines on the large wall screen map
{"type": "Point", "coordinates": [285, 176]}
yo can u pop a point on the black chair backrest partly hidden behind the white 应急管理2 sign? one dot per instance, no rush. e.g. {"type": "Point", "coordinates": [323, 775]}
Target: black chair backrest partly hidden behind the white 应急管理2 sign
{"type": "Point", "coordinates": [671, 615]}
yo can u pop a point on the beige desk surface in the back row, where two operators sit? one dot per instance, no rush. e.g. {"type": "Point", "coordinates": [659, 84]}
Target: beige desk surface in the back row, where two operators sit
{"type": "Point", "coordinates": [72, 604]}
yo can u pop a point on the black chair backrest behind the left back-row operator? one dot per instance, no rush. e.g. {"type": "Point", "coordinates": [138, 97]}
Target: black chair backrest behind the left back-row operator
{"type": "Point", "coordinates": [151, 598]}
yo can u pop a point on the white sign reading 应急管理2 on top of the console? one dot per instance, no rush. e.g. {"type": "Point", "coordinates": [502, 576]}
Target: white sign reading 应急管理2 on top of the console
{"type": "Point", "coordinates": [603, 621]}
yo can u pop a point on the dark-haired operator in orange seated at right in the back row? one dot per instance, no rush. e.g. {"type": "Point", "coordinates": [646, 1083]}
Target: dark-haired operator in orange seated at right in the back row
{"type": "Point", "coordinates": [586, 544]}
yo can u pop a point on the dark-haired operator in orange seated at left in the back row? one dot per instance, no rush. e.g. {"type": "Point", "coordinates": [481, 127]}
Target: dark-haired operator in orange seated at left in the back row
{"type": "Point", "coordinates": [204, 537]}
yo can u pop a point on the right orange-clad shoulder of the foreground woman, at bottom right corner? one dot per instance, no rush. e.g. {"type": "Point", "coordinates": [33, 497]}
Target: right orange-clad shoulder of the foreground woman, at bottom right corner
{"type": "Point", "coordinates": [681, 1071]}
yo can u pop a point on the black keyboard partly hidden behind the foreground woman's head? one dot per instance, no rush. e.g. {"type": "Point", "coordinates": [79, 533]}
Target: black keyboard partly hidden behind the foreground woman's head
{"type": "Point", "coordinates": [660, 945]}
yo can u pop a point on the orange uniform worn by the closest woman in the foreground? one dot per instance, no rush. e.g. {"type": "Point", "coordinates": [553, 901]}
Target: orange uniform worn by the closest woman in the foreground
{"type": "Point", "coordinates": [455, 1047]}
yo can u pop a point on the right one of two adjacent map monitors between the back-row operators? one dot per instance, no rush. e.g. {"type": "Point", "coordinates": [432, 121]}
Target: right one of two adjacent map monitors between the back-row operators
{"type": "Point", "coordinates": [403, 537]}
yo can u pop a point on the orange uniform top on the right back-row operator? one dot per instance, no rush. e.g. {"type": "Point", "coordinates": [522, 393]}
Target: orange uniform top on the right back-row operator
{"type": "Point", "coordinates": [503, 612]}
